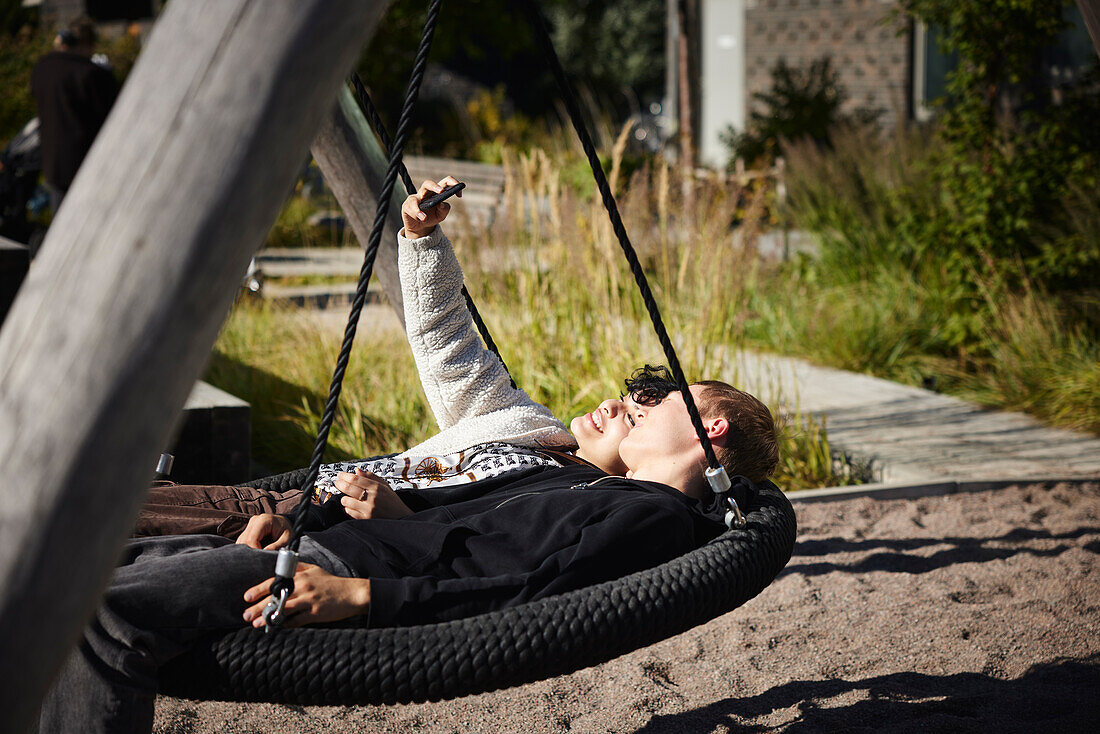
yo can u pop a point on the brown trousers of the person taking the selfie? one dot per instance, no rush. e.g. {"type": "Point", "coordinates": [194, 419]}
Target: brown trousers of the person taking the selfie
{"type": "Point", "coordinates": [225, 511]}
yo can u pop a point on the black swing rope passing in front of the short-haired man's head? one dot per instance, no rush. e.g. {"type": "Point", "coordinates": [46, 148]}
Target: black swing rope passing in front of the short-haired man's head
{"type": "Point", "coordinates": [590, 150]}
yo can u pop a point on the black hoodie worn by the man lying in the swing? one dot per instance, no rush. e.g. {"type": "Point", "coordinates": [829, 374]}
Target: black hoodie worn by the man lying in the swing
{"type": "Point", "coordinates": [511, 540]}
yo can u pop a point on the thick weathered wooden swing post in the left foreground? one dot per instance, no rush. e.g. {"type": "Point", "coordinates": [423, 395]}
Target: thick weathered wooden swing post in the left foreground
{"type": "Point", "coordinates": [124, 303]}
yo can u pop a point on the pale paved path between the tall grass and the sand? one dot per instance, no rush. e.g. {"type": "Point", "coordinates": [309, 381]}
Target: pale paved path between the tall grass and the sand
{"type": "Point", "coordinates": [914, 435]}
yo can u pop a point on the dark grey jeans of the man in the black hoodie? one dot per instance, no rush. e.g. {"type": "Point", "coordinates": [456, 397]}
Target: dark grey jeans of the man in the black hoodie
{"type": "Point", "coordinates": [166, 595]}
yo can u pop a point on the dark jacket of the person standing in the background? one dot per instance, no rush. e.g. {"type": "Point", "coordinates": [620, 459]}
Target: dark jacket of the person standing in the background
{"type": "Point", "coordinates": [74, 96]}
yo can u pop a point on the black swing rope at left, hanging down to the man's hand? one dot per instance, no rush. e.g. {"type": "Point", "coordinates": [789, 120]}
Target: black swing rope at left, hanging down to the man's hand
{"type": "Point", "coordinates": [365, 276]}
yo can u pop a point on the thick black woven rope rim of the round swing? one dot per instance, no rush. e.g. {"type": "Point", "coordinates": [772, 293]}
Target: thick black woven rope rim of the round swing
{"type": "Point", "coordinates": [500, 650]}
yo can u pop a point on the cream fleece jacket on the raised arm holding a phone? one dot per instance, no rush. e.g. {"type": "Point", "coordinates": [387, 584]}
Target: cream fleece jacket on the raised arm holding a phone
{"type": "Point", "coordinates": [468, 388]}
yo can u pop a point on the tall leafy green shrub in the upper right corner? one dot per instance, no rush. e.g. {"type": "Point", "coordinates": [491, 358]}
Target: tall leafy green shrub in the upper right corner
{"type": "Point", "coordinates": [1009, 154]}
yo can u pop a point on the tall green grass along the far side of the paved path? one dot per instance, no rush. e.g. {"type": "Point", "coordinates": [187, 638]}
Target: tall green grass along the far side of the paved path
{"type": "Point", "coordinates": [895, 293]}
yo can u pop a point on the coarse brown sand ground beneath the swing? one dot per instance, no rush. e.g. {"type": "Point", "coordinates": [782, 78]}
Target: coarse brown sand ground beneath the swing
{"type": "Point", "coordinates": [966, 614]}
